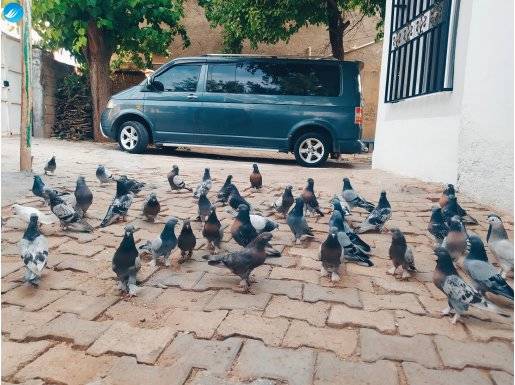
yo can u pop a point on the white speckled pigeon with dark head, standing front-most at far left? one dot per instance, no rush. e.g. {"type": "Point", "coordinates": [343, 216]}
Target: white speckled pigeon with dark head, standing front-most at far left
{"type": "Point", "coordinates": [34, 251]}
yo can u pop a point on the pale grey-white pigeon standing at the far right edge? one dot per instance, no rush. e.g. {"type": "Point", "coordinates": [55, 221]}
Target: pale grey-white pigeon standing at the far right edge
{"type": "Point", "coordinates": [499, 244]}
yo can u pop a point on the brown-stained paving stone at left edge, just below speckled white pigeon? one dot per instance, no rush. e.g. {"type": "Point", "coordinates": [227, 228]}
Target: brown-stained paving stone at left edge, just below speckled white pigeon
{"type": "Point", "coordinates": [31, 298]}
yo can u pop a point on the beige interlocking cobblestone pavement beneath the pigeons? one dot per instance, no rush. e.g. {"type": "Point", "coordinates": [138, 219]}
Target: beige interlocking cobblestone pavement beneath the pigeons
{"type": "Point", "coordinates": [189, 324]}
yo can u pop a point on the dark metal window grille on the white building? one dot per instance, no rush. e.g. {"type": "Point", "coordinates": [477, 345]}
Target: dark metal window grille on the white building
{"type": "Point", "coordinates": [418, 52]}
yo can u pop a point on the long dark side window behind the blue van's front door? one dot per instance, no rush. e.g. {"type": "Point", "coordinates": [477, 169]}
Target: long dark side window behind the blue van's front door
{"type": "Point", "coordinates": [274, 78]}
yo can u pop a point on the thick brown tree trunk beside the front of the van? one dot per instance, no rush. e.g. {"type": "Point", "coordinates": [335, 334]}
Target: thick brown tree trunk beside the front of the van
{"type": "Point", "coordinates": [99, 56]}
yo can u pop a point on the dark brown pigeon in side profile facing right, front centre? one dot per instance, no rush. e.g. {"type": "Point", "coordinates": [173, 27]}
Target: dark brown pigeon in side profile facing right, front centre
{"type": "Point", "coordinates": [243, 262]}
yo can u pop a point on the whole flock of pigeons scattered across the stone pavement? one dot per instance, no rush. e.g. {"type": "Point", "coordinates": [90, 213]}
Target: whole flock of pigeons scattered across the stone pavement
{"type": "Point", "coordinates": [253, 232]}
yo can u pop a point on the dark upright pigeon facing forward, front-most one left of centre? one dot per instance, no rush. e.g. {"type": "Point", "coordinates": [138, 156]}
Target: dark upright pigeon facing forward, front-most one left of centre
{"type": "Point", "coordinates": [126, 262]}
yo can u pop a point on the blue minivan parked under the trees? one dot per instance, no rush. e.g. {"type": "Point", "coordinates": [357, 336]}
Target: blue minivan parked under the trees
{"type": "Point", "coordinates": [311, 107]}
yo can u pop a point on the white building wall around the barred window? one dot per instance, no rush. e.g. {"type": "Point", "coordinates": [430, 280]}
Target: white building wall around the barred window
{"type": "Point", "coordinates": [447, 137]}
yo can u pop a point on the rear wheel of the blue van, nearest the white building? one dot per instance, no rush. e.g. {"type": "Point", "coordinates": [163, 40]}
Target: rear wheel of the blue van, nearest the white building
{"type": "Point", "coordinates": [307, 151]}
